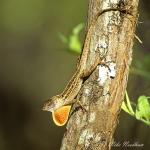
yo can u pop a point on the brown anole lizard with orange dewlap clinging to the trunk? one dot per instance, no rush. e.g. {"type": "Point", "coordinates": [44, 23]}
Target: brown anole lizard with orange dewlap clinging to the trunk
{"type": "Point", "coordinates": [60, 105]}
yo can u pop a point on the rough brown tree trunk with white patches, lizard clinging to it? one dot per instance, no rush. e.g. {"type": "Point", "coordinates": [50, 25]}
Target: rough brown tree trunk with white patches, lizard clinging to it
{"type": "Point", "coordinates": [113, 35]}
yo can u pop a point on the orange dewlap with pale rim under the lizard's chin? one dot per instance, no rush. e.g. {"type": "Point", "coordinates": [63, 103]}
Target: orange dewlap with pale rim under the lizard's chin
{"type": "Point", "coordinates": [60, 116]}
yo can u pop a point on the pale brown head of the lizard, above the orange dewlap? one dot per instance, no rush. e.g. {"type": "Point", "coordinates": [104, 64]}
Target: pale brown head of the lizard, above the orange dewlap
{"type": "Point", "coordinates": [53, 103]}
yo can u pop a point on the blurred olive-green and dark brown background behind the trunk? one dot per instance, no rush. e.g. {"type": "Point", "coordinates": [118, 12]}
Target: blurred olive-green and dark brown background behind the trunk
{"type": "Point", "coordinates": [35, 66]}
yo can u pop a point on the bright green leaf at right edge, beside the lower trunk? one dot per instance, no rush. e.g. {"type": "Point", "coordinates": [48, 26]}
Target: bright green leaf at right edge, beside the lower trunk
{"type": "Point", "coordinates": [143, 109]}
